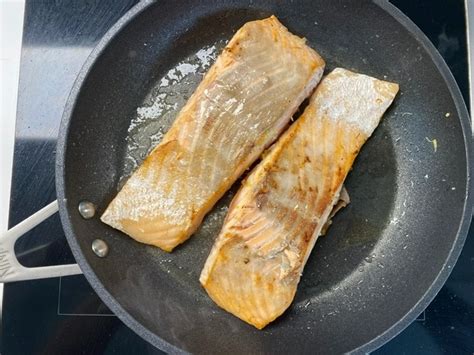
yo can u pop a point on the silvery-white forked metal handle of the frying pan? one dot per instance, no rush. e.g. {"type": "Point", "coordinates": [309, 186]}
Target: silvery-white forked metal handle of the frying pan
{"type": "Point", "coordinates": [11, 269]}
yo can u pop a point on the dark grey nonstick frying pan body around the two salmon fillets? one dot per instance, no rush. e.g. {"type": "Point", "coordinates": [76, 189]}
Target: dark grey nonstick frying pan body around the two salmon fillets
{"type": "Point", "coordinates": [386, 255]}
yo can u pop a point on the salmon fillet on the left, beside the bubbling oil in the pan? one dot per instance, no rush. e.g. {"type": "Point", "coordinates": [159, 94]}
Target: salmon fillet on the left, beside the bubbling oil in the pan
{"type": "Point", "coordinates": [241, 106]}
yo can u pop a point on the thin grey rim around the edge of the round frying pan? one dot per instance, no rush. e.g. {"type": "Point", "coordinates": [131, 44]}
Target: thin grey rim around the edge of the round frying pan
{"type": "Point", "coordinates": [153, 338]}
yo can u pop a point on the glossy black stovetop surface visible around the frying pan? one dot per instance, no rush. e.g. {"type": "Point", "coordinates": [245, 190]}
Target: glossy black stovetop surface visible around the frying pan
{"type": "Point", "coordinates": [57, 316]}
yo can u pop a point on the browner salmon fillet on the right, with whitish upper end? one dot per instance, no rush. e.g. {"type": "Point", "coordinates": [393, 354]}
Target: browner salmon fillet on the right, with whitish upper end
{"type": "Point", "coordinates": [274, 220]}
